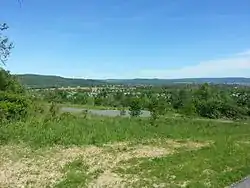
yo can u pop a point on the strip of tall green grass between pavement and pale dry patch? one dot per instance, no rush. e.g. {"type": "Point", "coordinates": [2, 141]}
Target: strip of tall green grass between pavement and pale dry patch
{"type": "Point", "coordinates": [71, 130]}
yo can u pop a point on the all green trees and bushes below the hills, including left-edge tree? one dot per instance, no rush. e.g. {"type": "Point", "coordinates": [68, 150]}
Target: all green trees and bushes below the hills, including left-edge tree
{"type": "Point", "coordinates": [206, 100]}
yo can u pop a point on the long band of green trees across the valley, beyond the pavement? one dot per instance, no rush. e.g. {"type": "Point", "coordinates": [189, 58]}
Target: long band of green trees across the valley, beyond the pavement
{"type": "Point", "coordinates": [211, 101]}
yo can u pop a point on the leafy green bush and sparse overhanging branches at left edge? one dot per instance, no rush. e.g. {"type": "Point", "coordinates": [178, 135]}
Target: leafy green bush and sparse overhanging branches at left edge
{"type": "Point", "coordinates": [14, 104]}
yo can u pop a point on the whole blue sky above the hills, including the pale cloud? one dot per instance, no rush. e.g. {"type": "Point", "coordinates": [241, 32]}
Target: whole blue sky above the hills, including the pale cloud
{"type": "Point", "coordinates": [102, 39]}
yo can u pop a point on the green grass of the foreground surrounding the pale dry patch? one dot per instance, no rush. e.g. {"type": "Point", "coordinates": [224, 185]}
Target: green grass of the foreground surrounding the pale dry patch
{"type": "Point", "coordinates": [225, 161]}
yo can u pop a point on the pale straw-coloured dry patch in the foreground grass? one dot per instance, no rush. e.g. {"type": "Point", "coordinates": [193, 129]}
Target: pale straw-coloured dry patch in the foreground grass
{"type": "Point", "coordinates": [20, 166]}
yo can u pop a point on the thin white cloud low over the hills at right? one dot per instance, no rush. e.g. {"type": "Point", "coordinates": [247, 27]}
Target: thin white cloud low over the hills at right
{"type": "Point", "coordinates": [236, 66]}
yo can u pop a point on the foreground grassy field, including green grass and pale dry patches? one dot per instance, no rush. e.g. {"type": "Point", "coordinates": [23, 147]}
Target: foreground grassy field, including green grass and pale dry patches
{"type": "Point", "coordinates": [123, 152]}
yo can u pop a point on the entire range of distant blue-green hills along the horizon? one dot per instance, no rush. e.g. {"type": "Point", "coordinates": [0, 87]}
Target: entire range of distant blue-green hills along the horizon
{"type": "Point", "coordinates": [44, 81]}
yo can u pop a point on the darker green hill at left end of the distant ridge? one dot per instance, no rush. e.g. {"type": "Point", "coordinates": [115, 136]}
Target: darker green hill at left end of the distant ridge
{"type": "Point", "coordinates": [44, 81]}
